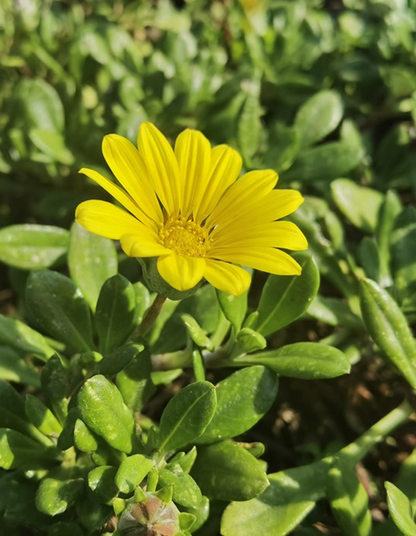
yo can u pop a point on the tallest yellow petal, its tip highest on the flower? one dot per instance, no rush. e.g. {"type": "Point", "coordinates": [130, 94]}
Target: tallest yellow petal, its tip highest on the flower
{"type": "Point", "coordinates": [161, 163]}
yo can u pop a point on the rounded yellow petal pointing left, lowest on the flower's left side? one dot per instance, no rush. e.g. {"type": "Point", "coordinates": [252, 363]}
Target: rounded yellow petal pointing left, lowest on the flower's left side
{"type": "Point", "coordinates": [107, 220]}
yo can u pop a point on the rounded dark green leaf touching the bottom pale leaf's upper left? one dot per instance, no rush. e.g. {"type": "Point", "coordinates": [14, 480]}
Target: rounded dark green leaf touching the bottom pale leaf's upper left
{"type": "Point", "coordinates": [227, 472]}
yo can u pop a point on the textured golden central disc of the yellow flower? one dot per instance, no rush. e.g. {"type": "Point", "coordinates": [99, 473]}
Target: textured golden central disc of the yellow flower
{"type": "Point", "coordinates": [185, 237]}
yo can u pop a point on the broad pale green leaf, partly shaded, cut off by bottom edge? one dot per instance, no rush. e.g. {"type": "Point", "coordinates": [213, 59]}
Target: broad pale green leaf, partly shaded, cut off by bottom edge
{"type": "Point", "coordinates": [281, 507]}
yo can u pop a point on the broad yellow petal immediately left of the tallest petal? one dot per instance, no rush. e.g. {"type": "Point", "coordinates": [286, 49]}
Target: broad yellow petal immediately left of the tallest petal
{"type": "Point", "coordinates": [128, 166]}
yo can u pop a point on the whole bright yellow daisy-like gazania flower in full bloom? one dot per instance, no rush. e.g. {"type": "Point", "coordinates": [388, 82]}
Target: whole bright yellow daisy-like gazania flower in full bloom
{"type": "Point", "coordinates": [188, 207]}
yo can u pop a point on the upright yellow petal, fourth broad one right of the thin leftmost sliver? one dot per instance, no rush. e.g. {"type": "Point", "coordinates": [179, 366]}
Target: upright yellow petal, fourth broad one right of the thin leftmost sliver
{"type": "Point", "coordinates": [224, 170]}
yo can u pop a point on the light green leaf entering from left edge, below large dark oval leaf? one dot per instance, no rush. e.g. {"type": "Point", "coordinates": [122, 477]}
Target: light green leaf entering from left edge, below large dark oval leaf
{"type": "Point", "coordinates": [23, 338]}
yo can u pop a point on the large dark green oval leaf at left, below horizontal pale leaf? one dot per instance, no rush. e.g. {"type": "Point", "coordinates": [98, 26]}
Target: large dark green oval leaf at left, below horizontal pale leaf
{"type": "Point", "coordinates": [58, 307]}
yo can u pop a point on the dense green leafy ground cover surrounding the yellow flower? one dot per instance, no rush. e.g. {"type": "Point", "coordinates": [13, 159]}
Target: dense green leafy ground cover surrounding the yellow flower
{"type": "Point", "coordinates": [120, 415]}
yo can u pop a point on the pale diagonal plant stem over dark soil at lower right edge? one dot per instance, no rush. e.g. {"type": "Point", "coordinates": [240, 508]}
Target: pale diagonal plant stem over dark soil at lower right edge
{"type": "Point", "coordinates": [355, 451]}
